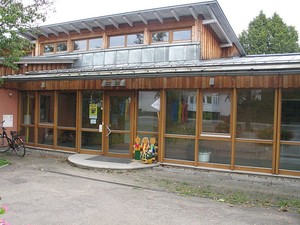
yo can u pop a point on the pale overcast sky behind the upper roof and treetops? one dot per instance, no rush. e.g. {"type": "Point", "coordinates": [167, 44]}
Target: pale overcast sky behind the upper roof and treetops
{"type": "Point", "coordinates": [238, 12]}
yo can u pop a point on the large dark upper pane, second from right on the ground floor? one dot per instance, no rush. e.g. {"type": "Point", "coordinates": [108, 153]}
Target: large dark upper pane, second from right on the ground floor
{"type": "Point", "coordinates": [255, 114]}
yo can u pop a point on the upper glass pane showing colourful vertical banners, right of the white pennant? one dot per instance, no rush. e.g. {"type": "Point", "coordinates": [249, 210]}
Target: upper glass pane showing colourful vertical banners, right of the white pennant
{"type": "Point", "coordinates": [181, 113]}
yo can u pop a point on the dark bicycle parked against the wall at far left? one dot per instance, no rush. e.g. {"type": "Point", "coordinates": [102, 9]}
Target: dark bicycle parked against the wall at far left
{"type": "Point", "coordinates": [15, 142]}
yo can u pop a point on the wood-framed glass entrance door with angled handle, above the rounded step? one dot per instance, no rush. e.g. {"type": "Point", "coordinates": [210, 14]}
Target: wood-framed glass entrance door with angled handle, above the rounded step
{"type": "Point", "coordinates": [118, 124]}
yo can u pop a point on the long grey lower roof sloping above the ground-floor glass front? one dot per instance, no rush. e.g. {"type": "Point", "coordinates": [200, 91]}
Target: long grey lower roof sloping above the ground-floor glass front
{"type": "Point", "coordinates": [249, 65]}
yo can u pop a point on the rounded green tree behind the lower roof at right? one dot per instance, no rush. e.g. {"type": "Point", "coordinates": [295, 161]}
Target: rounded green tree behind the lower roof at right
{"type": "Point", "coordinates": [269, 36]}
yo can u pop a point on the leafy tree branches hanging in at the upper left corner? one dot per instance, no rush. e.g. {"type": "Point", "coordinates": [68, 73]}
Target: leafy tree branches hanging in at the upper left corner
{"type": "Point", "coordinates": [15, 17]}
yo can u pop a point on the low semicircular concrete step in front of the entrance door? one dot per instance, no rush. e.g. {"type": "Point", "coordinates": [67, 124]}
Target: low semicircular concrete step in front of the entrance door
{"type": "Point", "coordinates": [102, 162]}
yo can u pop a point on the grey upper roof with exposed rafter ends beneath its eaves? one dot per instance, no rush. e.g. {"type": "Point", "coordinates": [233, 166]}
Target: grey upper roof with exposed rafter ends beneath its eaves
{"type": "Point", "coordinates": [210, 11]}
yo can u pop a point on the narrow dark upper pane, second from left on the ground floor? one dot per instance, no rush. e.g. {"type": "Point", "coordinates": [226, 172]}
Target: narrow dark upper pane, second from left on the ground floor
{"type": "Point", "coordinates": [46, 108]}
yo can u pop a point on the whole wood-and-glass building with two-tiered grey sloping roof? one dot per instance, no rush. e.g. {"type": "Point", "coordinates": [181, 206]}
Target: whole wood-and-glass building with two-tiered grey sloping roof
{"type": "Point", "coordinates": [176, 73]}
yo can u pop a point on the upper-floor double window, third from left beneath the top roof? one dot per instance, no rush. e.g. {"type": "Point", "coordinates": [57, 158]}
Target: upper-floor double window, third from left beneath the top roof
{"type": "Point", "coordinates": [126, 40]}
